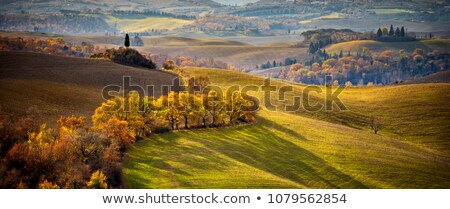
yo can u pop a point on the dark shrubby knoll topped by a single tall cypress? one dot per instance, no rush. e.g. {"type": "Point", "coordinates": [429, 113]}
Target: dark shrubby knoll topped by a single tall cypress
{"type": "Point", "coordinates": [126, 56]}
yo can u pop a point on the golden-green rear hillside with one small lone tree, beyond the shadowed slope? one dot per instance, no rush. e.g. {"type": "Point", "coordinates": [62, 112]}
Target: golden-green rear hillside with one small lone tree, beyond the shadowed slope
{"type": "Point", "coordinates": [406, 109]}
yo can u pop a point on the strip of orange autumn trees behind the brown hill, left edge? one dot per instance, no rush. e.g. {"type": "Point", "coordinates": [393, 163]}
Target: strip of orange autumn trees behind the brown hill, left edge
{"type": "Point", "coordinates": [56, 46]}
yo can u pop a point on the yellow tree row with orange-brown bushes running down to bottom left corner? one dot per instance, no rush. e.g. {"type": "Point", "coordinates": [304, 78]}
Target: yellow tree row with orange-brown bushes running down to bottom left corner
{"type": "Point", "coordinates": [78, 155]}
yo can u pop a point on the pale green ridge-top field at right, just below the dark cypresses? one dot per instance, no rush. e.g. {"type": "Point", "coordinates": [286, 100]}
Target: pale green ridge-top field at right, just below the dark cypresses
{"type": "Point", "coordinates": [376, 46]}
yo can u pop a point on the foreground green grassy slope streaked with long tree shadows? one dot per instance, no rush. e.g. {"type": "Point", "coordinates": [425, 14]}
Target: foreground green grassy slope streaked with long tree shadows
{"type": "Point", "coordinates": [282, 151]}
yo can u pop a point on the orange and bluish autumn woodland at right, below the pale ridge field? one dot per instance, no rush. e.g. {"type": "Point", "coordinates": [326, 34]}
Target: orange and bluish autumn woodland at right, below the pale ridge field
{"type": "Point", "coordinates": [367, 67]}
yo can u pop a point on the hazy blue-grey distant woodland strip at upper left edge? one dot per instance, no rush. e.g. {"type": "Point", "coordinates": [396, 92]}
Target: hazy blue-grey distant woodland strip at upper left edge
{"type": "Point", "coordinates": [54, 23]}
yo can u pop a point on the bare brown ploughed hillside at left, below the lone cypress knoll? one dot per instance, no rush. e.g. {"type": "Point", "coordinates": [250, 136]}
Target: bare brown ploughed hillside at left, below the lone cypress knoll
{"type": "Point", "coordinates": [63, 85]}
